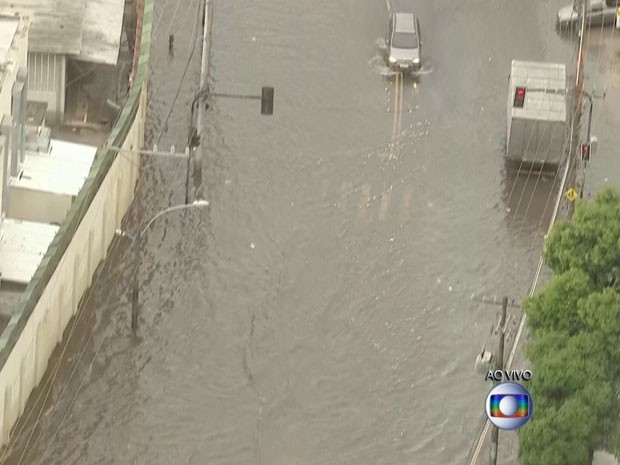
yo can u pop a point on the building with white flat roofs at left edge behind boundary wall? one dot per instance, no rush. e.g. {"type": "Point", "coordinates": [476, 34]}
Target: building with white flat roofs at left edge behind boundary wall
{"type": "Point", "coordinates": [40, 176]}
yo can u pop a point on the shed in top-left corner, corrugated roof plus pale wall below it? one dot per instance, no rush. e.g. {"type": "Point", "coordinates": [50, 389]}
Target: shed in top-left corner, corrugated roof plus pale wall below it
{"type": "Point", "coordinates": [69, 39]}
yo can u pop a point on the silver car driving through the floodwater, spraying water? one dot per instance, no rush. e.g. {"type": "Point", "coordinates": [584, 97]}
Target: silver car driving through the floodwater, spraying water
{"type": "Point", "coordinates": [404, 53]}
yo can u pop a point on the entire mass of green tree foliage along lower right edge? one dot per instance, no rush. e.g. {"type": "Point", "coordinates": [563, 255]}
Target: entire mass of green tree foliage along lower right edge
{"type": "Point", "coordinates": [574, 347]}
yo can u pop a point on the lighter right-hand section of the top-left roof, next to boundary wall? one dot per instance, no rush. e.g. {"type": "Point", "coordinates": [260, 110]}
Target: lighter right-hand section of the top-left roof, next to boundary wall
{"type": "Point", "coordinates": [101, 33]}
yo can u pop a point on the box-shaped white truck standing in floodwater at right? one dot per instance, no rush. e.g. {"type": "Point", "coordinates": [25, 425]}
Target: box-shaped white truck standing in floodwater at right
{"type": "Point", "coordinates": [537, 113]}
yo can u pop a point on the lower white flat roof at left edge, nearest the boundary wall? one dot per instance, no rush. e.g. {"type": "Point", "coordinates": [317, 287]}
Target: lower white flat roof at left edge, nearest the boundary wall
{"type": "Point", "coordinates": [22, 247]}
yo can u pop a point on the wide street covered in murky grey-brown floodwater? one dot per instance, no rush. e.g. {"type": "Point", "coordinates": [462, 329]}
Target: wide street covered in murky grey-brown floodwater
{"type": "Point", "coordinates": [320, 310]}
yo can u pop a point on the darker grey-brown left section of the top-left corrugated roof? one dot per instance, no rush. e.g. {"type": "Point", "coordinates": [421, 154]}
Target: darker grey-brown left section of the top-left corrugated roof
{"type": "Point", "coordinates": [56, 25]}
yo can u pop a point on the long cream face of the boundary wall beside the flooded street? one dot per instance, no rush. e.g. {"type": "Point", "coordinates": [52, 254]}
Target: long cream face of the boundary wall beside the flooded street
{"type": "Point", "coordinates": [29, 357]}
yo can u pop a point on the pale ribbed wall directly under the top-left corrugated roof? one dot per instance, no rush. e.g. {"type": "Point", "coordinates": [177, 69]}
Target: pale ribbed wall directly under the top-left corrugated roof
{"type": "Point", "coordinates": [46, 83]}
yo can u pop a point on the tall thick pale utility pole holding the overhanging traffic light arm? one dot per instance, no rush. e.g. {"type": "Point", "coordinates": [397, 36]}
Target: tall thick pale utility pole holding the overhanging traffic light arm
{"type": "Point", "coordinates": [202, 101]}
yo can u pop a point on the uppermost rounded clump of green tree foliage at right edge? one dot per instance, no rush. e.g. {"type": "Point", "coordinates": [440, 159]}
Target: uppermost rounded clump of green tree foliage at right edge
{"type": "Point", "coordinates": [590, 242]}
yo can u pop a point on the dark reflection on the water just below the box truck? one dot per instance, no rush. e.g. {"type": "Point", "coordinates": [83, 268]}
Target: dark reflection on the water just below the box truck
{"type": "Point", "coordinates": [529, 195]}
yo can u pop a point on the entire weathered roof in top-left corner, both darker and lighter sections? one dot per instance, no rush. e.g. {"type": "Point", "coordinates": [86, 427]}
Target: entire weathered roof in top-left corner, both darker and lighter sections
{"type": "Point", "coordinates": [89, 30]}
